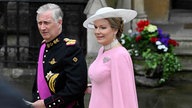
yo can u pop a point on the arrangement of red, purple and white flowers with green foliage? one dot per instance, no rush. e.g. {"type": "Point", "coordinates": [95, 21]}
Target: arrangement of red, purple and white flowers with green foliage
{"type": "Point", "coordinates": [155, 47]}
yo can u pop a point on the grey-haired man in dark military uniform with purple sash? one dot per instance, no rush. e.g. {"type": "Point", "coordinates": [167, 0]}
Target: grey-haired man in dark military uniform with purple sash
{"type": "Point", "coordinates": [62, 71]}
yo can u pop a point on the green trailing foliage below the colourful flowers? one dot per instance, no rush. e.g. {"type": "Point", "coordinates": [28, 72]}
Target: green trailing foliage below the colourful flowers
{"type": "Point", "coordinates": [168, 61]}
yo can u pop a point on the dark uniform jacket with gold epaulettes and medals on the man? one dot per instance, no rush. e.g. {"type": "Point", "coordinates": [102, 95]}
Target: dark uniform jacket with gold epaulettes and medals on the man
{"type": "Point", "coordinates": [65, 71]}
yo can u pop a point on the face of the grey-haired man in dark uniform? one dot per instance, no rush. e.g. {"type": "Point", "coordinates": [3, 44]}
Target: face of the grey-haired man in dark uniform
{"type": "Point", "coordinates": [48, 27]}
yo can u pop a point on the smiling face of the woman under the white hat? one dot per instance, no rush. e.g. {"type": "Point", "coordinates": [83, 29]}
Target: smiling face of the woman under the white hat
{"type": "Point", "coordinates": [103, 31]}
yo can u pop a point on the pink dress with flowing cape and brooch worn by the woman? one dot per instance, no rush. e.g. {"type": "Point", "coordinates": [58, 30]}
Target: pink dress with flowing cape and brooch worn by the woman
{"type": "Point", "coordinates": [112, 78]}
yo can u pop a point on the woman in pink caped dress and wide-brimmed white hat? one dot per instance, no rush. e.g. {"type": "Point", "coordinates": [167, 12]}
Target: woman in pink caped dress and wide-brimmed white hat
{"type": "Point", "coordinates": [111, 74]}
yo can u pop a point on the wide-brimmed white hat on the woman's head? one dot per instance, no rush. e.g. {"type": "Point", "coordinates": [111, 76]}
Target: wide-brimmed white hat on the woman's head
{"type": "Point", "coordinates": [107, 12]}
